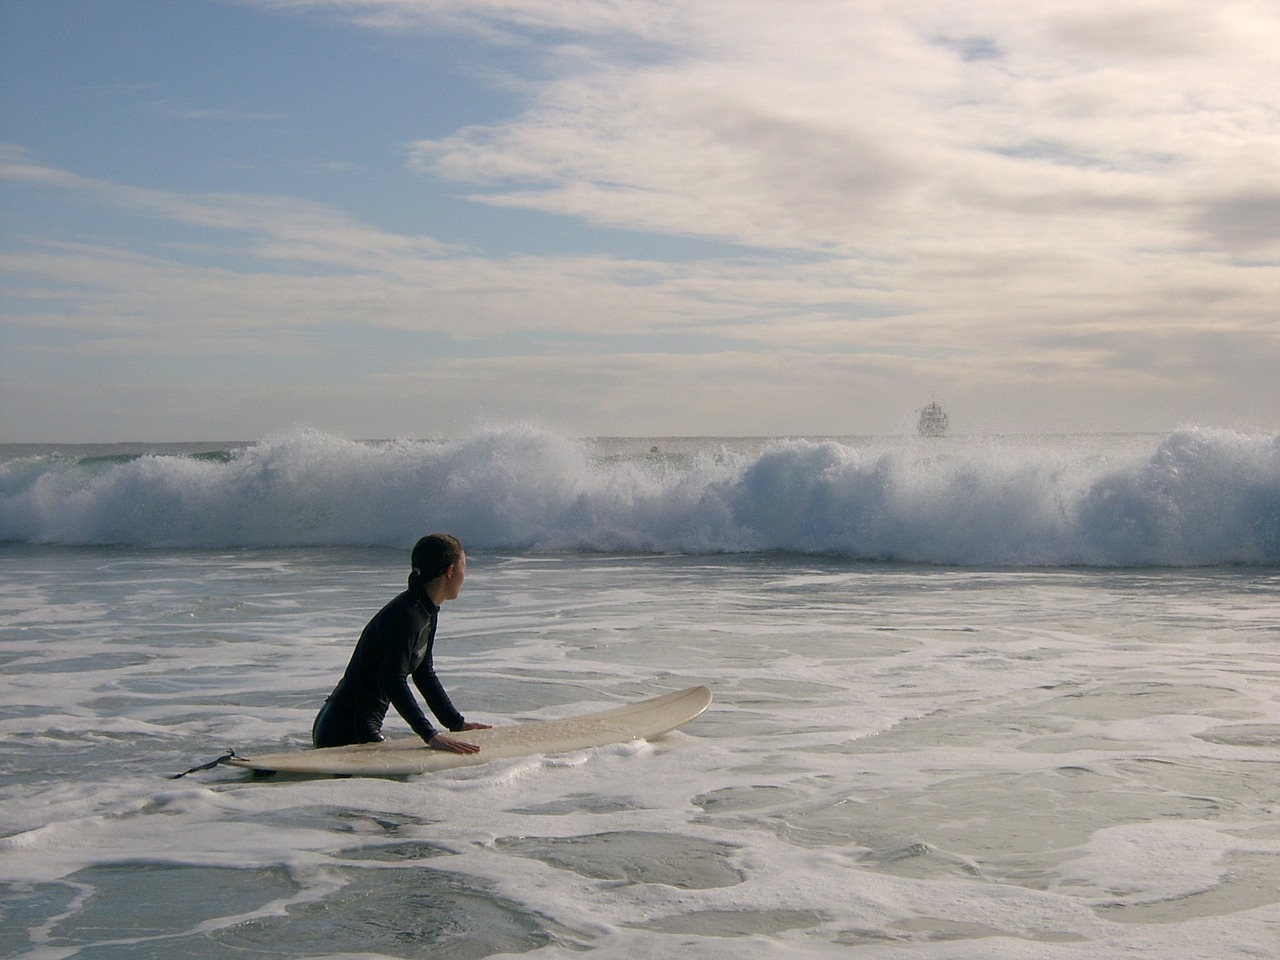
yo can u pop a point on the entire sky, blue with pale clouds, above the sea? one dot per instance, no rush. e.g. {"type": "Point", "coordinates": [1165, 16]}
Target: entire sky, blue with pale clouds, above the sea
{"type": "Point", "coordinates": [228, 220]}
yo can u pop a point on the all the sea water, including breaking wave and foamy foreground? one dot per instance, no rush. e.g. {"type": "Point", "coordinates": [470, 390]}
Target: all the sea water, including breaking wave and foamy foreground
{"type": "Point", "coordinates": [975, 698]}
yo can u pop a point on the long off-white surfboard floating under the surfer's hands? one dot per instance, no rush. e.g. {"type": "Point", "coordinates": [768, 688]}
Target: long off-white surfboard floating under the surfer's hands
{"type": "Point", "coordinates": [639, 721]}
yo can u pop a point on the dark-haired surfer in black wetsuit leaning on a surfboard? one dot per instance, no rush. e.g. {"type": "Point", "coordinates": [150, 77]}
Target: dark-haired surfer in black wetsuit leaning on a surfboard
{"type": "Point", "coordinates": [395, 647]}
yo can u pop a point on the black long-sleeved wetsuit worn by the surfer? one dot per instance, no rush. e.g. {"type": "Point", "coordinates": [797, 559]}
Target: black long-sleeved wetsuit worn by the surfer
{"type": "Point", "coordinates": [395, 647]}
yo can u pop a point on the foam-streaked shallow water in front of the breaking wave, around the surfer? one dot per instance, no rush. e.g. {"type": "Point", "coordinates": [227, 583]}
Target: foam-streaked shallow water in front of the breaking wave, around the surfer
{"type": "Point", "coordinates": [900, 762]}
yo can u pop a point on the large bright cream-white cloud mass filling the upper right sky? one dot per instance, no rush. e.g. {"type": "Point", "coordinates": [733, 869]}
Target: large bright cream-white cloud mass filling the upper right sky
{"type": "Point", "coordinates": [836, 126]}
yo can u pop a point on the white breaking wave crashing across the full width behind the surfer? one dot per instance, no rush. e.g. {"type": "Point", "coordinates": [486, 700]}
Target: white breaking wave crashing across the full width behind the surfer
{"type": "Point", "coordinates": [1196, 499]}
